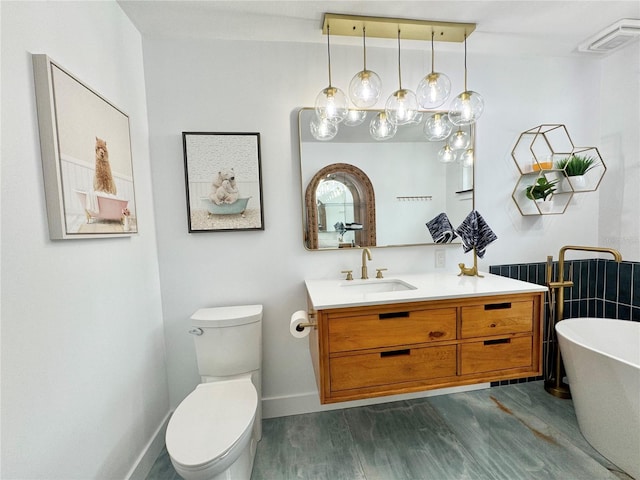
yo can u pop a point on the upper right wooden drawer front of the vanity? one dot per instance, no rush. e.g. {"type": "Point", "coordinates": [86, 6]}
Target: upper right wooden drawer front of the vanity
{"type": "Point", "coordinates": [497, 319]}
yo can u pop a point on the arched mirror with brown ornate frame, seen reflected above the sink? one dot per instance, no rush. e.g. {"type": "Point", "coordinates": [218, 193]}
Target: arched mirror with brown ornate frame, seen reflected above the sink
{"type": "Point", "coordinates": [340, 206]}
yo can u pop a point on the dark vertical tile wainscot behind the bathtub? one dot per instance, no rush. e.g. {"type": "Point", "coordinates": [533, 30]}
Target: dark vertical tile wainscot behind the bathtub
{"type": "Point", "coordinates": [602, 288]}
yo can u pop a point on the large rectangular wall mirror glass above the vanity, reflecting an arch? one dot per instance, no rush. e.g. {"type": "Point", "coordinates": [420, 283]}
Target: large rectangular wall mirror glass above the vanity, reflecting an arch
{"type": "Point", "coordinates": [361, 192]}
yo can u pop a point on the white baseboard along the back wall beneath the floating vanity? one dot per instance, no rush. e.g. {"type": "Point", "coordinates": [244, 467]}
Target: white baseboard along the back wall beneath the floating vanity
{"type": "Point", "coordinates": [309, 402]}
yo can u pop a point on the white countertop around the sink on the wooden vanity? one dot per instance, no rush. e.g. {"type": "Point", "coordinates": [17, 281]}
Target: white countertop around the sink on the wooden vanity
{"type": "Point", "coordinates": [430, 286]}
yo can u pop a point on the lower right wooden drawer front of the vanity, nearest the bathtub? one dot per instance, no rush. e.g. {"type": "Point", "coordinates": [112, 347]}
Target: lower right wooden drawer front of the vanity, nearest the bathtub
{"type": "Point", "coordinates": [498, 354]}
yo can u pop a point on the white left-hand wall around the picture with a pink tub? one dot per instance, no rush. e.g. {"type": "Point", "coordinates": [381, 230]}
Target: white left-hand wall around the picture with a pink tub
{"type": "Point", "coordinates": [84, 384]}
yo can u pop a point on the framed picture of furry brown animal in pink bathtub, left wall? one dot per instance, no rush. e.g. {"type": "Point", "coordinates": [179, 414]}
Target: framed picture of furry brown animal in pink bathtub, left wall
{"type": "Point", "coordinates": [87, 164]}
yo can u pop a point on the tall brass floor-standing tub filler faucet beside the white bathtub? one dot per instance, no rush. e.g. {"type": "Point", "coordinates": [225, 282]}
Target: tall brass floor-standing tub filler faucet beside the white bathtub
{"type": "Point", "coordinates": [554, 384]}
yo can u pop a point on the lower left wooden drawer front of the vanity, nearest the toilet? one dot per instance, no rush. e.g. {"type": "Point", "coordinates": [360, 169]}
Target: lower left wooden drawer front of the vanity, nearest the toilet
{"type": "Point", "coordinates": [385, 368]}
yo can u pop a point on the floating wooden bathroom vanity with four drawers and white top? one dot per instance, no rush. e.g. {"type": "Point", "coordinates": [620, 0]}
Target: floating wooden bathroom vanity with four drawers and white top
{"type": "Point", "coordinates": [417, 332]}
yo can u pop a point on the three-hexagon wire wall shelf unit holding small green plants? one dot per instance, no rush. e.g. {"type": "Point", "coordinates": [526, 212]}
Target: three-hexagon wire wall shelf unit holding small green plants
{"type": "Point", "coordinates": [547, 152]}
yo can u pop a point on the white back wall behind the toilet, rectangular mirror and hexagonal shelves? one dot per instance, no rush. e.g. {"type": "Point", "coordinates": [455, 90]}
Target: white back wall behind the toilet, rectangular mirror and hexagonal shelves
{"type": "Point", "coordinates": [224, 86]}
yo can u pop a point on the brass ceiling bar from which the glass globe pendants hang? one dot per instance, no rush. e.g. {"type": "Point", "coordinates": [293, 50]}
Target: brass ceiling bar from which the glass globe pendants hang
{"type": "Point", "coordinates": [382, 27]}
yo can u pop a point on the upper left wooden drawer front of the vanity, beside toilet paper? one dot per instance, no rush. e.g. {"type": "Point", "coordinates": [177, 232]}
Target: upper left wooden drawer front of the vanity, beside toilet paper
{"type": "Point", "coordinates": [389, 329]}
